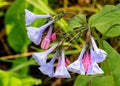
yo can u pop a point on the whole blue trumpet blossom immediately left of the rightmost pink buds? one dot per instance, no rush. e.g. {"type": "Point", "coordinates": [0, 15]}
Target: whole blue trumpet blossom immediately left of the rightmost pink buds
{"type": "Point", "coordinates": [77, 66]}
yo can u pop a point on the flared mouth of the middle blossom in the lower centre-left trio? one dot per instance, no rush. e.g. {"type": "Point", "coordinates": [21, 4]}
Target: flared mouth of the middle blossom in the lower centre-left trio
{"type": "Point", "coordinates": [47, 69]}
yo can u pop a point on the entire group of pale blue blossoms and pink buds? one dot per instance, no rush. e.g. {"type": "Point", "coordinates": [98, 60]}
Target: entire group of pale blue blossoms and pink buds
{"type": "Point", "coordinates": [86, 64]}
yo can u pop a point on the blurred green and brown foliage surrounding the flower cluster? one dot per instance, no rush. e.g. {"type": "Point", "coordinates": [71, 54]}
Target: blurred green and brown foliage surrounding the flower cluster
{"type": "Point", "coordinates": [17, 68]}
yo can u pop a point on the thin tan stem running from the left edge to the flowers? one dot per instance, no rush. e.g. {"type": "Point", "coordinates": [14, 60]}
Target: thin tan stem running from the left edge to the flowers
{"type": "Point", "coordinates": [16, 56]}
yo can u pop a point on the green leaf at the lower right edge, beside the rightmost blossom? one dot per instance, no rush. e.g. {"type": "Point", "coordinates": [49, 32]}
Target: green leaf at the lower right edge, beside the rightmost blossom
{"type": "Point", "coordinates": [113, 62]}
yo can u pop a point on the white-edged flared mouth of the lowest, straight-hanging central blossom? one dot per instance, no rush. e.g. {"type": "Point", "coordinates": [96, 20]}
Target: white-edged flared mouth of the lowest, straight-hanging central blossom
{"type": "Point", "coordinates": [61, 72]}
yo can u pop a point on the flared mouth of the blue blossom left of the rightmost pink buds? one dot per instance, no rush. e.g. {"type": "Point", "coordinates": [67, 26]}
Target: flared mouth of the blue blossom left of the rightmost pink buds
{"type": "Point", "coordinates": [76, 67]}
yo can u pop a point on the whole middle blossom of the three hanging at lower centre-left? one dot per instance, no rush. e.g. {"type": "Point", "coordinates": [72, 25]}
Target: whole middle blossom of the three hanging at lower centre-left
{"type": "Point", "coordinates": [48, 68]}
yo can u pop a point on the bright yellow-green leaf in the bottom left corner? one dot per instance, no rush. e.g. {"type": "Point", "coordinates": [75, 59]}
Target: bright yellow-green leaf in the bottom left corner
{"type": "Point", "coordinates": [13, 79]}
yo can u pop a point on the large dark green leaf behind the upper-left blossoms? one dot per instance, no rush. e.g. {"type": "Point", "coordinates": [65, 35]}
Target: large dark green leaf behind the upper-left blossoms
{"type": "Point", "coordinates": [15, 26]}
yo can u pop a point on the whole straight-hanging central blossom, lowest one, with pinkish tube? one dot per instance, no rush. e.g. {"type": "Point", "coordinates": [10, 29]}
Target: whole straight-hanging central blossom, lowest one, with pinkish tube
{"type": "Point", "coordinates": [61, 70]}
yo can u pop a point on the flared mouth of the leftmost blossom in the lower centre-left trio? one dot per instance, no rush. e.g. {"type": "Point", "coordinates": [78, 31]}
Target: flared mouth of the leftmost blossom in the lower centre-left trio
{"type": "Point", "coordinates": [40, 57]}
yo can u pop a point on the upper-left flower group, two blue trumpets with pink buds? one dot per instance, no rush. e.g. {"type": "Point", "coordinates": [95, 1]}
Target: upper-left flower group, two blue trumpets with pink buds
{"type": "Point", "coordinates": [35, 34]}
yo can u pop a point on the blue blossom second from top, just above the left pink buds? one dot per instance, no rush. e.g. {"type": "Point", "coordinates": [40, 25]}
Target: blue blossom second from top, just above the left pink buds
{"type": "Point", "coordinates": [35, 34]}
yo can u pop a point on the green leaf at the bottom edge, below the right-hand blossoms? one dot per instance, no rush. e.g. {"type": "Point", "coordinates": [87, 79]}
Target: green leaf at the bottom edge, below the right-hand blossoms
{"type": "Point", "coordinates": [94, 80]}
